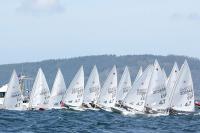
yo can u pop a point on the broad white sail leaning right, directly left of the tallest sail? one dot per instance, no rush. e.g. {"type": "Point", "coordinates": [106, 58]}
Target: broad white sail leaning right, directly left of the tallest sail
{"type": "Point", "coordinates": [136, 97]}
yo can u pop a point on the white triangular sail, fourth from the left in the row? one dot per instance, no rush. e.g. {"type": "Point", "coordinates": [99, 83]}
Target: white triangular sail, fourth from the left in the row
{"type": "Point", "coordinates": [74, 94]}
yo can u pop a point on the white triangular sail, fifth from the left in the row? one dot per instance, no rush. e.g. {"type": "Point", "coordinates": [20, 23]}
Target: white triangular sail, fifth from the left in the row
{"type": "Point", "coordinates": [92, 88]}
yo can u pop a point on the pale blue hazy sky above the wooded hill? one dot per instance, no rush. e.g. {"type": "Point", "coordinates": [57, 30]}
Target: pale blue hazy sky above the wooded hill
{"type": "Point", "coordinates": [34, 30]}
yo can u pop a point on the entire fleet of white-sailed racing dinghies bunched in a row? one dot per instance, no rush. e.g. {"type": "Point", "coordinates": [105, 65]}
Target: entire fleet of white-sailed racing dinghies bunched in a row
{"type": "Point", "coordinates": [152, 92]}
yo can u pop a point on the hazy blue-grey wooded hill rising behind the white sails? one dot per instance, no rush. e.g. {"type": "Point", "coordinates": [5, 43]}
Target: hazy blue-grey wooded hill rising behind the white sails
{"type": "Point", "coordinates": [104, 64]}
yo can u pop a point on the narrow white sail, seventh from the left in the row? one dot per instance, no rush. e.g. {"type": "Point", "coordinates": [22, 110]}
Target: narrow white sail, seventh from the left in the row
{"type": "Point", "coordinates": [124, 85]}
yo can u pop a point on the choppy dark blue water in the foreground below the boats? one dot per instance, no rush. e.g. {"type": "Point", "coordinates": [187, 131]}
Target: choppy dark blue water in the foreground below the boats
{"type": "Point", "coordinates": [93, 121]}
